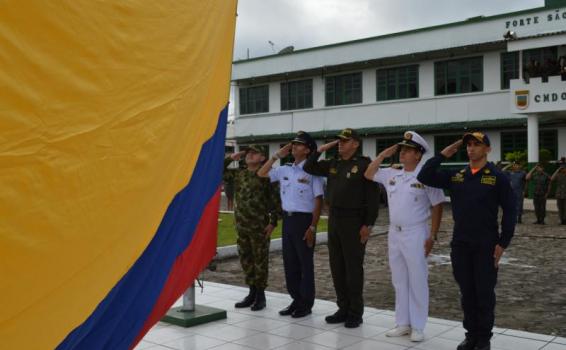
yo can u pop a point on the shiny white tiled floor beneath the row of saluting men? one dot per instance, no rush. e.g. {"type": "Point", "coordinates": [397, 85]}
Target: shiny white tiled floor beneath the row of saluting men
{"type": "Point", "coordinates": [248, 330]}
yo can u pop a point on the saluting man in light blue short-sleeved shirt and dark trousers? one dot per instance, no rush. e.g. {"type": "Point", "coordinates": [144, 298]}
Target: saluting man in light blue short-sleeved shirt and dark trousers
{"type": "Point", "coordinates": [301, 199]}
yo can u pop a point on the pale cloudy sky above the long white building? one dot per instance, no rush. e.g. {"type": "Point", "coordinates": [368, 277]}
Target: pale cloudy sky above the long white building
{"type": "Point", "coordinates": [309, 23]}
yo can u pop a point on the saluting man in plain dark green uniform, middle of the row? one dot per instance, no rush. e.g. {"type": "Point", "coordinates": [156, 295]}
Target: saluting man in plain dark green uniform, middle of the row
{"type": "Point", "coordinates": [353, 202]}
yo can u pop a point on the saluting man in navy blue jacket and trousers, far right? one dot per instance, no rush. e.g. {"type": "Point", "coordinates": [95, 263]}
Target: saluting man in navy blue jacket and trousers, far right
{"type": "Point", "coordinates": [476, 193]}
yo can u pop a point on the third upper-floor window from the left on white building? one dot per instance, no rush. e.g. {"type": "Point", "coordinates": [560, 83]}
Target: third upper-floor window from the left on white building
{"type": "Point", "coordinates": [344, 89]}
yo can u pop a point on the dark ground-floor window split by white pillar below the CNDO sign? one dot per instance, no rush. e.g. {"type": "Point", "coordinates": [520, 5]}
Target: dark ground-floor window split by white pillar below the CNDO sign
{"type": "Point", "coordinates": [517, 141]}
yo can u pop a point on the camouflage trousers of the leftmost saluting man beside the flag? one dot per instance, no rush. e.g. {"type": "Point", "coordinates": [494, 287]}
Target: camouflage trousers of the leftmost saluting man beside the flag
{"type": "Point", "coordinates": [253, 249]}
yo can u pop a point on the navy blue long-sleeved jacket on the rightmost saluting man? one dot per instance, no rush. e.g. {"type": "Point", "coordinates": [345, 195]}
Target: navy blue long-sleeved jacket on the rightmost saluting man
{"type": "Point", "coordinates": [475, 201]}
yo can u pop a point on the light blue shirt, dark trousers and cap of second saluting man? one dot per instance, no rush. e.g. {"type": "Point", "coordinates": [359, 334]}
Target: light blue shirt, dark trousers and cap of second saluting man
{"type": "Point", "coordinates": [298, 193]}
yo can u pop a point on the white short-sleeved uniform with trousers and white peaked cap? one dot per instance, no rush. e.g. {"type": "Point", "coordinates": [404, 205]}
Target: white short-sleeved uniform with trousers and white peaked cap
{"type": "Point", "coordinates": [409, 211]}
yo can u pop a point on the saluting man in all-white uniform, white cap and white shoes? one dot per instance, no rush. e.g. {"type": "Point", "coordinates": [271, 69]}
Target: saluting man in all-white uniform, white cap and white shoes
{"type": "Point", "coordinates": [410, 238]}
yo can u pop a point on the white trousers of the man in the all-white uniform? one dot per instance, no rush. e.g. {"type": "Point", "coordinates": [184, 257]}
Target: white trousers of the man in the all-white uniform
{"type": "Point", "coordinates": [409, 274]}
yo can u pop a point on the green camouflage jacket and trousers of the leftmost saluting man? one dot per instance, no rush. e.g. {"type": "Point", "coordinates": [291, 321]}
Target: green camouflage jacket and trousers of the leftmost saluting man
{"type": "Point", "coordinates": [256, 205]}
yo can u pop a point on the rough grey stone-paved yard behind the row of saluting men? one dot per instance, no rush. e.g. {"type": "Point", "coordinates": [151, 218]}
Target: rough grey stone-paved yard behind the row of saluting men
{"type": "Point", "coordinates": [531, 290]}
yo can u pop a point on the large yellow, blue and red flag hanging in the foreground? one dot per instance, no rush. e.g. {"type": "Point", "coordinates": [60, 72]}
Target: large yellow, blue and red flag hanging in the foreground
{"type": "Point", "coordinates": [112, 126]}
